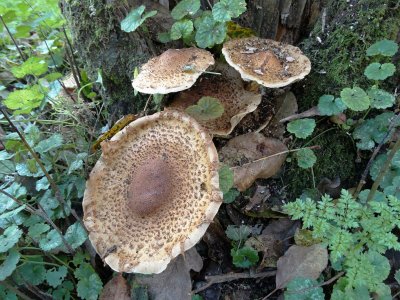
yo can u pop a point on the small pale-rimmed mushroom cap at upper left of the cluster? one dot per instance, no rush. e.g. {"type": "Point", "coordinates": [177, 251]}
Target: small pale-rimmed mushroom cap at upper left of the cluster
{"type": "Point", "coordinates": [173, 71]}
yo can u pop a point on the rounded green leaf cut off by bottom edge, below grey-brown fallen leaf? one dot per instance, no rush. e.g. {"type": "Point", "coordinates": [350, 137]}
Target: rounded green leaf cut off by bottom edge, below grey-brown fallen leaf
{"type": "Point", "coordinates": [301, 289]}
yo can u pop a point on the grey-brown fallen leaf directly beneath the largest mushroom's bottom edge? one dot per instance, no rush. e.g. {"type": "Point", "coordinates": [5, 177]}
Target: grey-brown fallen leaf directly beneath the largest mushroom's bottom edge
{"type": "Point", "coordinates": [175, 282]}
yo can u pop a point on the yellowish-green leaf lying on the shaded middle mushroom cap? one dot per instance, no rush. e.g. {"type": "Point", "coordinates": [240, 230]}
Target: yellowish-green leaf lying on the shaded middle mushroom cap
{"type": "Point", "coordinates": [207, 108]}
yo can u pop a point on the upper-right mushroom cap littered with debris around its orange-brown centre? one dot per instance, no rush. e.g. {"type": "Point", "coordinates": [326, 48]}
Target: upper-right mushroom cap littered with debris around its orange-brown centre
{"type": "Point", "coordinates": [270, 63]}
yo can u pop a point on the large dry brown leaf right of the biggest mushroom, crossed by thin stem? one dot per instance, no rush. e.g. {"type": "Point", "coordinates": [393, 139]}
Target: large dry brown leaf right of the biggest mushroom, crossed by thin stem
{"type": "Point", "coordinates": [242, 152]}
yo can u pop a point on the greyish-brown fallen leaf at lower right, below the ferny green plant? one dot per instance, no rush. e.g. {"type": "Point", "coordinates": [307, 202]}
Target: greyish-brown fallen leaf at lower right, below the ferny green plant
{"type": "Point", "coordinates": [298, 261]}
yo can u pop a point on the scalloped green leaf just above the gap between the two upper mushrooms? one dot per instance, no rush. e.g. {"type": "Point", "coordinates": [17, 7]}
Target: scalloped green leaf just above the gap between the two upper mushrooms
{"type": "Point", "coordinates": [209, 32]}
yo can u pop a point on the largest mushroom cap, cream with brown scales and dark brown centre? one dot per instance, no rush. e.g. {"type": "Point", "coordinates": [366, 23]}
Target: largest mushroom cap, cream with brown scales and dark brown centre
{"type": "Point", "coordinates": [153, 192]}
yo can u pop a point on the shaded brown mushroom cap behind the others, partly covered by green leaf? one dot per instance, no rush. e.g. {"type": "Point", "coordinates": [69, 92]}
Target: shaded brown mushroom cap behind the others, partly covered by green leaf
{"type": "Point", "coordinates": [228, 88]}
